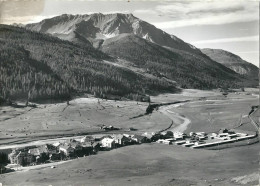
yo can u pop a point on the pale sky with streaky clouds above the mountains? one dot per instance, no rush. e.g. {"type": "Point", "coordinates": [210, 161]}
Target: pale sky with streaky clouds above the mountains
{"type": "Point", "coordinates": [232, 25]}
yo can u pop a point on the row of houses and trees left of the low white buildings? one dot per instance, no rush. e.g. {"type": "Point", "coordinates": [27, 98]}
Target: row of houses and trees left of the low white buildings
{"type": "Point", "coordinates": [77, 148]}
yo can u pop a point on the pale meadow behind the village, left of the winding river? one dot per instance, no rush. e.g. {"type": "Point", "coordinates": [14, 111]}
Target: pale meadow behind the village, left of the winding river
{"type": "Point", "coordinates": [82, 116]}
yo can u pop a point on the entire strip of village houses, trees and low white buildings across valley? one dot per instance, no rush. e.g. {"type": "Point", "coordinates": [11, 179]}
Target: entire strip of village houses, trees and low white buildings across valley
{"type": "Point", "coordinates": [89, 145]}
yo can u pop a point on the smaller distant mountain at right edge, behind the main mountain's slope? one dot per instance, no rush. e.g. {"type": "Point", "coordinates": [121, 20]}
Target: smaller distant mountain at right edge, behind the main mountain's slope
{"type": "Point", "coordinates": [232, 61]}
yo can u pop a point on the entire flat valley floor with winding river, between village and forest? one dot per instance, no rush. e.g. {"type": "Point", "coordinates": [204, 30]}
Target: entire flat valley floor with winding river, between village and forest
{"type": "Point", "coordinates": [207, 111]}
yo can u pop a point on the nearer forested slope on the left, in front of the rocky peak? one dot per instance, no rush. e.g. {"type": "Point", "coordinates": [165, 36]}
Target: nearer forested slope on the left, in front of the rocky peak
{"type": "Point", "coordinates": [43, 66]}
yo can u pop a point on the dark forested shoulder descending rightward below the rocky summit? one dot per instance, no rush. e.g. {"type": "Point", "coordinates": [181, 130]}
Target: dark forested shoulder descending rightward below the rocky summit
{"type": "Point", "coordinates": [187, 69]}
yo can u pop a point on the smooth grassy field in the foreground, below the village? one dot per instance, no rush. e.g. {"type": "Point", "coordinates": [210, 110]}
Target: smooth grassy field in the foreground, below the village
{"type": "Point", "coordinates": [148, 164]}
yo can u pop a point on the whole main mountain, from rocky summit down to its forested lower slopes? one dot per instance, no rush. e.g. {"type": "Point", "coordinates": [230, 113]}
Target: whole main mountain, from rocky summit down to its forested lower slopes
{"type": "Point", "coordinates": [114, 54]}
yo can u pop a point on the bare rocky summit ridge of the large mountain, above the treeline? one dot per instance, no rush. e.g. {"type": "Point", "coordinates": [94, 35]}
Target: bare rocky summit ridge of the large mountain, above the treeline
{"type": "Point", "coordinates": [98, 27]}
